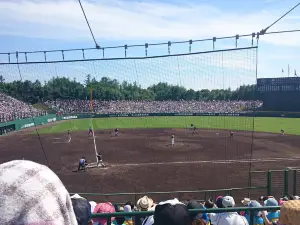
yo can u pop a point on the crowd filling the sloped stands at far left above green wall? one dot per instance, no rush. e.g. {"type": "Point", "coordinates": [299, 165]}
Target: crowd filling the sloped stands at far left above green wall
{"type": "Point", "coordinates": [12, 109]}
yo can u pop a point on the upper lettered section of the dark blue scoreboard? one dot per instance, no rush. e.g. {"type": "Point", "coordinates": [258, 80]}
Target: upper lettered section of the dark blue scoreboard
{"type": "Point", "coordinates": [278, 84]}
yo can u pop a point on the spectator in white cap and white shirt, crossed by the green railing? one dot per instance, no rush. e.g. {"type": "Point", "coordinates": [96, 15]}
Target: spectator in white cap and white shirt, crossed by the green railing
{"type": "Point", "coordinates": [227, 218]}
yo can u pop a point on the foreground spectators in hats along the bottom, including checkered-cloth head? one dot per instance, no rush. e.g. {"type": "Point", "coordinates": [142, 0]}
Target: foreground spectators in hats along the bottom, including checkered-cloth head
{"type": "Point", "coordinates": [33, 194]}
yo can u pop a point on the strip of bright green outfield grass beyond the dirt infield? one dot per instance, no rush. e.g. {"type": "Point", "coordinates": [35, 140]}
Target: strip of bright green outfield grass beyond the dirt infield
{"type": "Point", "coordinates": [263, 124]}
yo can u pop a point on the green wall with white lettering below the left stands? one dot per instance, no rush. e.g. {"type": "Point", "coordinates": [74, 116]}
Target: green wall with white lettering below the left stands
{"type": "Point", "coordinates": [26, 123]}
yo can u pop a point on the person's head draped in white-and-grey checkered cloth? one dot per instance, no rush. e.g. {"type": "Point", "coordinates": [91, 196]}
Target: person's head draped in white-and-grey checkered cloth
{"type": "Point", "coordinates": [32, 194]}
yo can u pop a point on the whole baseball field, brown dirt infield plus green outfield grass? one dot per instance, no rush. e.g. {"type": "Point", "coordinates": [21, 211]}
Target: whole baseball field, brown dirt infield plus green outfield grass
{"type": "Point", "coordinates": [141, 158]}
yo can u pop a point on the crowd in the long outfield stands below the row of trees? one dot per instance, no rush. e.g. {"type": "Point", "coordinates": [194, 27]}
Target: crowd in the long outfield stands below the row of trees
{"type": "Point", "coordinates": [108, 107]}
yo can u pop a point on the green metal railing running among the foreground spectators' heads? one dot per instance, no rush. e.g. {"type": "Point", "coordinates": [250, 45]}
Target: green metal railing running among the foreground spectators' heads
{"type": "Point", "coordinates": [193, 211]}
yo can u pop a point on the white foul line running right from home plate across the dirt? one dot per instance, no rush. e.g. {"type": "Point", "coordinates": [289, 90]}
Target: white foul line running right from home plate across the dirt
{"type": "Point", "coordinates": [230, 161]}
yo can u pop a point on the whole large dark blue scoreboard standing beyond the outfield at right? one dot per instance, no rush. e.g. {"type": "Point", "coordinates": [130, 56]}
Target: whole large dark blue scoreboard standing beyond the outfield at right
{"type": "Point", "coordinates": [280, 94]}
